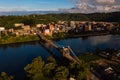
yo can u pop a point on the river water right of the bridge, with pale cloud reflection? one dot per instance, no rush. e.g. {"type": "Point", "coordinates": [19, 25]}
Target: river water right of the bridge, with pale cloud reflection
{"type": "Point", "coordinates": [80, 45]}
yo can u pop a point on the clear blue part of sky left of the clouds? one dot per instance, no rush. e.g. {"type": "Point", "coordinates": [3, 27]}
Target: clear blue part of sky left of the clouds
{"type": "Point", "coordinates": [33, 5]}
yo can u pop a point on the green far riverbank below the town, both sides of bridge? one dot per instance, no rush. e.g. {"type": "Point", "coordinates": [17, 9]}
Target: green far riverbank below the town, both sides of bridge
{"type": "Point", "coordinates": [56, 36]}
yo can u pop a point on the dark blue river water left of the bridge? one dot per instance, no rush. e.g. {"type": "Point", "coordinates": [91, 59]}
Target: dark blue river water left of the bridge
{"type": "Point", "coordinates": [14, 57]}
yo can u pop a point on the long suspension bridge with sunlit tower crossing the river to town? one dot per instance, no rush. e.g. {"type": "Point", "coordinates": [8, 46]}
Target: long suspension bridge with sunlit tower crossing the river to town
{"type": "Point", "coordinates": [65, 51]}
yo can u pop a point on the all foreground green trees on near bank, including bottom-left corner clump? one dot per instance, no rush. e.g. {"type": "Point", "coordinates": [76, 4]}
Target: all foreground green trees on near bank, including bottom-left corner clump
{"type": "Point", "coordinates": [52, 70]}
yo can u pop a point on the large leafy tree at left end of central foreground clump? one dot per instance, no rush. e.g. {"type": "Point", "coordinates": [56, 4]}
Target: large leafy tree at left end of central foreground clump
{"type": "Point", "coordinates": [34, 70]}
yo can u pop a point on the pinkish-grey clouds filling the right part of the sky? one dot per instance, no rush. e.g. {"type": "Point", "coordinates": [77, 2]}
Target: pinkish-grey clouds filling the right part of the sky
{"type": "Point", "coordinates": [91, 6]}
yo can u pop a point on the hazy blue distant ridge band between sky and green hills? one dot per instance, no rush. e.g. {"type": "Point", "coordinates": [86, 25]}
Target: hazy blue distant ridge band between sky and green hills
{"type": "Point", "coordinates": [23, 13]}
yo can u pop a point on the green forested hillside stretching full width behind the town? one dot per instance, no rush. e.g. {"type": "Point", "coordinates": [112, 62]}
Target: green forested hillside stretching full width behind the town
{"type": "Point", "coordinates": [9, 21]}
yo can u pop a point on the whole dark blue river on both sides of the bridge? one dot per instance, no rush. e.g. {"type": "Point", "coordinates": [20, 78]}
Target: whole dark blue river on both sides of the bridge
{"type": "Point", "coordinates": [14, 57]}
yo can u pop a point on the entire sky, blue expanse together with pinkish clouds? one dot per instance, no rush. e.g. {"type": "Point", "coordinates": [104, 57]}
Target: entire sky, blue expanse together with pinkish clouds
{"type": "Point", "coordinates": [71, 6]}
